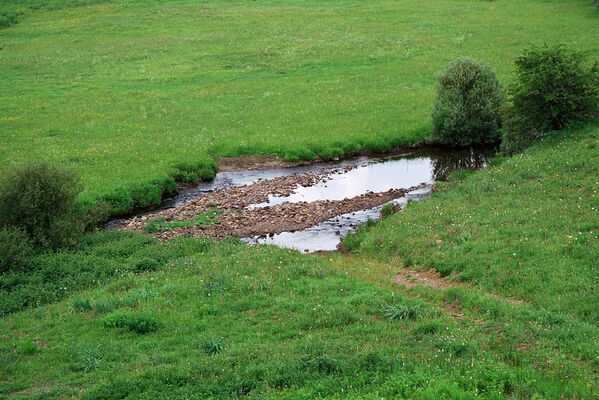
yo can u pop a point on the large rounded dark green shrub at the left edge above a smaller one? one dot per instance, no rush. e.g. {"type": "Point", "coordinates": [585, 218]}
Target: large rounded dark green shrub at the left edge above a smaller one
{"type": "Point", "coordinates": [39, 198]}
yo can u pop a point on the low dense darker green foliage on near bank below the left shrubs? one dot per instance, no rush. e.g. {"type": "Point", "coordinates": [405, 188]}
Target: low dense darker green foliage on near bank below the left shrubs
{"type": "Point", "coordinates": [93, 262]}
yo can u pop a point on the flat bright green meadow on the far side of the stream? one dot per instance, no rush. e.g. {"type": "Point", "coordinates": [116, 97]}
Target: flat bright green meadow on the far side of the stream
{"type": "Point", "coordinates": [124, 89]}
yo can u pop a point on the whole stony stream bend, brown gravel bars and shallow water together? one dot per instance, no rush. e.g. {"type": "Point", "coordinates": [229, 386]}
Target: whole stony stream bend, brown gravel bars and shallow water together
{"type": "Point", "coordinates": [307, 208]}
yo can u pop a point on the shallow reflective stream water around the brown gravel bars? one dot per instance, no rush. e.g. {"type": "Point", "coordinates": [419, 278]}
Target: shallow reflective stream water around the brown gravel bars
{"type": "Point", "coordinates": [413, 172]}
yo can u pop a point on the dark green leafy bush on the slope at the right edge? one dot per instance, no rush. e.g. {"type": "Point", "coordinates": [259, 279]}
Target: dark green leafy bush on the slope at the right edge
{"type": "Point", "coordinates": [555, 86]}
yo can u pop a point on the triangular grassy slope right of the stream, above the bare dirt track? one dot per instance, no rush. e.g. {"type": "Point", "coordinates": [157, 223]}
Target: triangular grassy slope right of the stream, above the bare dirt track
{"type": "Point", "coordinates": [527, 228]}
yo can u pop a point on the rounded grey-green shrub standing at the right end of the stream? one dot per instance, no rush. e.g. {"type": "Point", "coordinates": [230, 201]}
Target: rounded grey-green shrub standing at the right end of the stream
{"type": "Point", "coordinates": [468, 104]}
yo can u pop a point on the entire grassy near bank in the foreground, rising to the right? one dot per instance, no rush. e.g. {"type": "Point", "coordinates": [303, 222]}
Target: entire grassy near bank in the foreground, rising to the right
{"type": "Point", "coordinates": [296, 326]}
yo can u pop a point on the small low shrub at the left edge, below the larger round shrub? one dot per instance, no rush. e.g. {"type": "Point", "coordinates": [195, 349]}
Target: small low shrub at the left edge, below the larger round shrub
{"type": "Point", "coordinates": [15, 249]}
